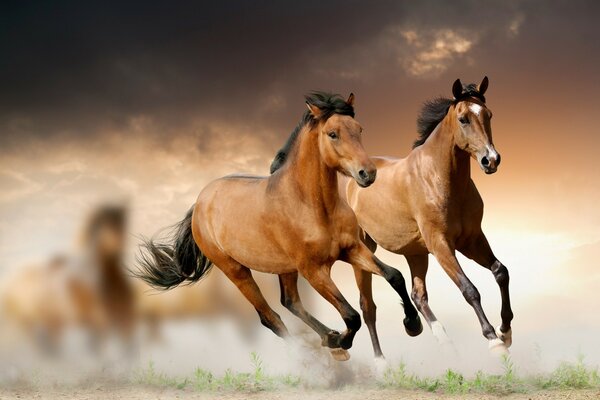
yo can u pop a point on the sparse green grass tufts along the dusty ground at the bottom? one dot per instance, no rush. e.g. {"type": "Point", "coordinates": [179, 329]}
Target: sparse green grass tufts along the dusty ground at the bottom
{"type": "Point", "coordinates": [568, 375]}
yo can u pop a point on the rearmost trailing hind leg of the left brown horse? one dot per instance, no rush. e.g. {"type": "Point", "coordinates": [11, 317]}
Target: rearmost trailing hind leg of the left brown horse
{"type": "Point", "coordinates": [242, 278]}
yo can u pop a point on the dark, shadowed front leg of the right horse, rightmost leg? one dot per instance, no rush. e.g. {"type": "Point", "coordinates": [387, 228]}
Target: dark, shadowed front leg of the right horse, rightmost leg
{"type": "Point", "coordinates": [480, 251]}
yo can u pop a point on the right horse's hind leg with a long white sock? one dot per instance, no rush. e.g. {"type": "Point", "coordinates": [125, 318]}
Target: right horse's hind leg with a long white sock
{"type": "Point", "coordinates": [418, 268]}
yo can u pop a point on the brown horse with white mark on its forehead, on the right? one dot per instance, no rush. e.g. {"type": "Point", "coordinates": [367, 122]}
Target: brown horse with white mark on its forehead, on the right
{"type": "Point", "coordinates": [427, 203]}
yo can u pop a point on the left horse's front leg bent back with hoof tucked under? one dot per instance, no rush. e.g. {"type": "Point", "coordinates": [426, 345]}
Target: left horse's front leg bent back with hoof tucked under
{"type": "Point", "coordinates": [320, 279]}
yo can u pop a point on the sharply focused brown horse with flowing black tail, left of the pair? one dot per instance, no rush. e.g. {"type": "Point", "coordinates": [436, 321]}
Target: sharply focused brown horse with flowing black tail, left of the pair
{"type": "Point", "coordinates": [291, 222]}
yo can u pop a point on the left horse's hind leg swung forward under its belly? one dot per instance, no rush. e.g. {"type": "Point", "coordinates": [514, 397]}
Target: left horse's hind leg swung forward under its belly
{"type": "Point", "coordinates": [290, 299]}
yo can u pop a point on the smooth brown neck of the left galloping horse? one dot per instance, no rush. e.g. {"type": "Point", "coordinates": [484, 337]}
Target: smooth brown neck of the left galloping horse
{"type": "Point", "coordinates": [312, 178]}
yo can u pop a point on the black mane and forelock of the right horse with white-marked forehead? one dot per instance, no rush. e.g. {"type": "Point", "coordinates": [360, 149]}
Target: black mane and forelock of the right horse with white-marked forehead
{"type": "Point", "coordinates": [434, 111]}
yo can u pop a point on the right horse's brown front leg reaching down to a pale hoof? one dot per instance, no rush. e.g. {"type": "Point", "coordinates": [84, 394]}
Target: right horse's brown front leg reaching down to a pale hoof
{"type": "Point", "coordinates": [447, 259]}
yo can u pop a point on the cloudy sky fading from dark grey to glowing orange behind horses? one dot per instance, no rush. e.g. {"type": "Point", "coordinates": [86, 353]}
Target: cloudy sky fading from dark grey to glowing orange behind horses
{"type": "Point", "coordinates": [146, 102]}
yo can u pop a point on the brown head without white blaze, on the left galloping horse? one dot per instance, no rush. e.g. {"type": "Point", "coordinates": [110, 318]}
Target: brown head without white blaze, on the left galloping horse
{"type": "Point", "coordinates": [340, 144]}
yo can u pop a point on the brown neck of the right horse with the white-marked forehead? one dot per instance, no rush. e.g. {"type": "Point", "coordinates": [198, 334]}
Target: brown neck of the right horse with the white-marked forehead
{"type": "Point", "coordinates": [450, 163]}
